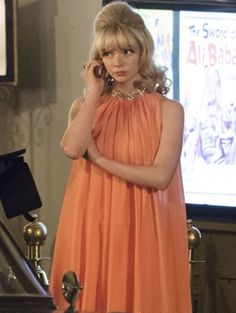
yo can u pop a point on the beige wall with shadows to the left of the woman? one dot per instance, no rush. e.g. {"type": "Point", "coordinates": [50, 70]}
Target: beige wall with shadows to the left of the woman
{"type": "Point", "coordinates": [53, 46]}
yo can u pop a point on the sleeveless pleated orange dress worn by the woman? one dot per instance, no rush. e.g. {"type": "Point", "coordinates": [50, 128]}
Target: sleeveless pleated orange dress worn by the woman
{"type": "Point", "coordinates": [126, 243]}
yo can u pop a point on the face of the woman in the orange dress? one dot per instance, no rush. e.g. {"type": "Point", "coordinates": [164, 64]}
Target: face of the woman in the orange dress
{"type": "Point", "coordinates": [122, 64]}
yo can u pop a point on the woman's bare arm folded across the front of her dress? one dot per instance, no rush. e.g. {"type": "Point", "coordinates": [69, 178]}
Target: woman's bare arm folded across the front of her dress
{"type": "Point", "coordinates": [159, 174]}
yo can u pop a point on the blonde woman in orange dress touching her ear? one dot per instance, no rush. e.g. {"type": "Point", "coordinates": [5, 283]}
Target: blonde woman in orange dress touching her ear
{"type": "Point", "coordinates": [122, 227]}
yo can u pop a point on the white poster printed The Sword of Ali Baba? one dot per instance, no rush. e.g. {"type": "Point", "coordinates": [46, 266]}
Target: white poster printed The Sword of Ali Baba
{"type": "Point", "coordinates": [207, 67]}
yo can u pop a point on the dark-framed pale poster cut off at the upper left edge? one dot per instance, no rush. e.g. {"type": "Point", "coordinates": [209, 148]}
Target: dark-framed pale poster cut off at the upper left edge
{"type": "Point", "coordinates": [8, 42]}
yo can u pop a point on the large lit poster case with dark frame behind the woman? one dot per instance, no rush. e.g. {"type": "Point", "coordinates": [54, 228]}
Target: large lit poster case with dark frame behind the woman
{"type": "Point", "coordinates": [196, 41]}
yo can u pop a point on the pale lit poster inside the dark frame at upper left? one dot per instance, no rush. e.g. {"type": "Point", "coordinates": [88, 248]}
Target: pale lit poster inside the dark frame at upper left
{"type": "Point", "coordinates": [3, 57]}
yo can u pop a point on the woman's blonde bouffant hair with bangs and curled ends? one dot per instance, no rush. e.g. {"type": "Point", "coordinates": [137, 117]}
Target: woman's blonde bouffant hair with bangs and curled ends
{"type": "Point", "coordinates": [117, 24]}
